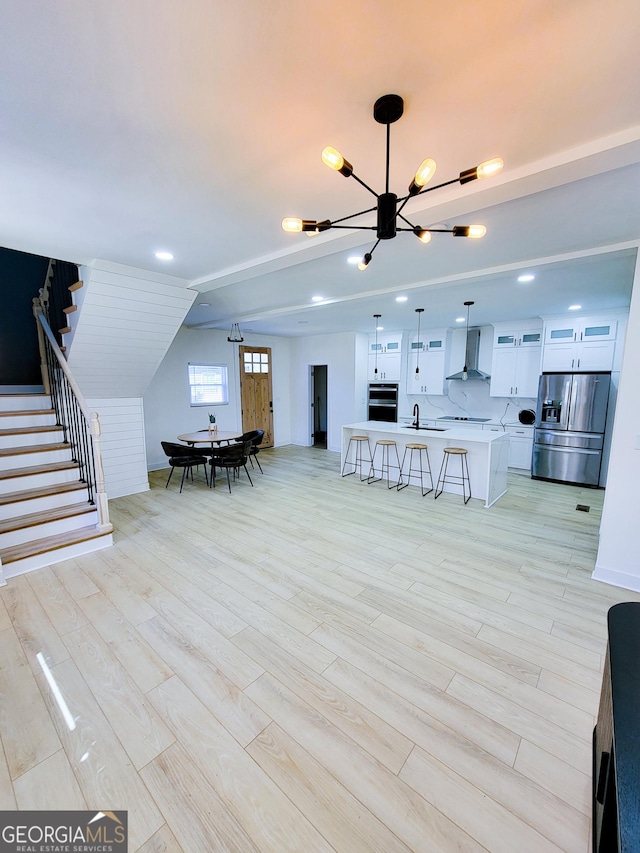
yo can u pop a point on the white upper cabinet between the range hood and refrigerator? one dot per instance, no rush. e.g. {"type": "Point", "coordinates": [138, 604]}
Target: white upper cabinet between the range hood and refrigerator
{"type": "Point", "coordinates": [515, 366]}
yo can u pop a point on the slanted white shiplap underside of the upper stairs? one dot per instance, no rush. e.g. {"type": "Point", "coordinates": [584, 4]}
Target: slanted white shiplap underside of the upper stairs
{"type": "Point", "coordinates": [126, 324]}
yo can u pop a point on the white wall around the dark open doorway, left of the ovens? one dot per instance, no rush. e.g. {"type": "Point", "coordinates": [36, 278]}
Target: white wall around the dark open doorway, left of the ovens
{"type": "Point", "coordinates": [345, 356]}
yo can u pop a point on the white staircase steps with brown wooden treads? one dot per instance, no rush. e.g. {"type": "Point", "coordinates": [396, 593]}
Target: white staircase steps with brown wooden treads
{"type": "Point", "coordinates": [45, 514]}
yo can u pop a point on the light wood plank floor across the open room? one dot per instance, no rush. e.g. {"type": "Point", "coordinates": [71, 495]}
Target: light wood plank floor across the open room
{"type": "Point", "coordinates": [316, 664]}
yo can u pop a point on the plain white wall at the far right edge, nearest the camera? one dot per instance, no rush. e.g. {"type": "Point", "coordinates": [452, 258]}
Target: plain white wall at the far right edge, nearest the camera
{"type": "Point", "coordinates": [617, 562]}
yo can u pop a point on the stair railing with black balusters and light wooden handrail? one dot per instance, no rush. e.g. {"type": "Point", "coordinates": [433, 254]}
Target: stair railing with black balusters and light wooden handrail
{"type": "Point", "coordinates": [81, 428]}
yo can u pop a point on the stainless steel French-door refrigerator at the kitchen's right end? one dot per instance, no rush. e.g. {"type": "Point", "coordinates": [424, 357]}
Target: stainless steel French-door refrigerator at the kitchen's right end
{"type": "Point", "coordinates": [569, 430]}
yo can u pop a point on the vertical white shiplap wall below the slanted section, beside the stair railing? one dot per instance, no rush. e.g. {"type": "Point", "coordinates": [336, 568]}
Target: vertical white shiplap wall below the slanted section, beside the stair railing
{"type": "Point", "coordinates": [122, 442]}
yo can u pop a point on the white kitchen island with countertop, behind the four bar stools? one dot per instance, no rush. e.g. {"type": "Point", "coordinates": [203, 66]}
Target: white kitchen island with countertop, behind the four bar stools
{"type": "Point", "coordinates": [488, 453]}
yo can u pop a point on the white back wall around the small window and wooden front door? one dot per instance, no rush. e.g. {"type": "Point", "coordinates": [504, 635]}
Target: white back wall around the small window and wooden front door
{"type": "Point", "coordinates": [167, 409]}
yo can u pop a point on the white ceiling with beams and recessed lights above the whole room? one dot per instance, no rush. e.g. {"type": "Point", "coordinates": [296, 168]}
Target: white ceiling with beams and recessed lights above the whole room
{"type": "Point", "coordinates": [196, 126]}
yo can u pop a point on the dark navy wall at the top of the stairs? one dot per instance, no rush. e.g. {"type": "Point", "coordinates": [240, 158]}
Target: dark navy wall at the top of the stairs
{"type": "Point", "coordinates": [21, 277]}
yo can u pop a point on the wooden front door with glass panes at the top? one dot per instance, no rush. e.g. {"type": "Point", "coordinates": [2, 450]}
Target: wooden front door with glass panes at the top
{"type": "Point", "coordinates": [256, 396]}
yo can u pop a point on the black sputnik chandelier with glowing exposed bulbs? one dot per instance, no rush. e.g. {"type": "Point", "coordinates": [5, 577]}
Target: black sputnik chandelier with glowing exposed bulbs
{"type": "Point", "coordinates": [387, 110]}
